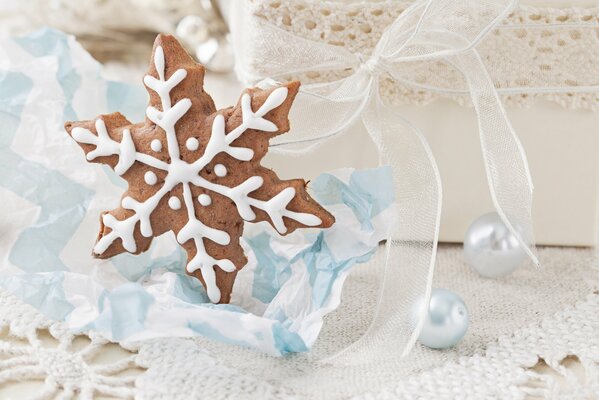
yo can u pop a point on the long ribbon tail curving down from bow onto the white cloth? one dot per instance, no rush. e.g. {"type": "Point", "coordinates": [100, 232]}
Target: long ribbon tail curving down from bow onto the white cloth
{"type": "Point", "coordinates": [411, 246]}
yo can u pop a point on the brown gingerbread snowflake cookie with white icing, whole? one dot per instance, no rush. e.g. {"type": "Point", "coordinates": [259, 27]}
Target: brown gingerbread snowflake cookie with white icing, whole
{"type": "Point", "coordinates": [196, 171]}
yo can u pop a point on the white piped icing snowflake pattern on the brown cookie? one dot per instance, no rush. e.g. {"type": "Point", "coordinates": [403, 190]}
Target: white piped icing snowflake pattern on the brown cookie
{"type": "Point", "coordinates": [179, 172]}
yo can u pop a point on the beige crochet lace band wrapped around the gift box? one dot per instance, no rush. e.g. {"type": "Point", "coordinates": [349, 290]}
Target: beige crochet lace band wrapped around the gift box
{"type": "Point", "coordinates": [534, 49]}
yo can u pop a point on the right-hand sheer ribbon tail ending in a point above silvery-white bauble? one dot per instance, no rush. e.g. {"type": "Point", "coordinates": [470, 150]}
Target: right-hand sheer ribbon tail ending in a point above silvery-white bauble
{"type": "Point", "coordinates": [506, 165]}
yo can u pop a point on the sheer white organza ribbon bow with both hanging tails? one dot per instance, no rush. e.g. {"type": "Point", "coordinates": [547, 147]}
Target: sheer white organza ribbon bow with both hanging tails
{"type": "Point", "coordinates": [429, 31]}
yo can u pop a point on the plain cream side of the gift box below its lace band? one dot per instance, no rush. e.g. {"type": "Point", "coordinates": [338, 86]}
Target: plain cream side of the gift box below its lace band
{"type": "Point", "coordinates": [562, 147]}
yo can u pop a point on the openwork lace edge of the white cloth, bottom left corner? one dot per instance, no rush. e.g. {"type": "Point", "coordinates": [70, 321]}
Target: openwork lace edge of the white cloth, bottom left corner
{"type": "Point", "coordinates": [65, 368]}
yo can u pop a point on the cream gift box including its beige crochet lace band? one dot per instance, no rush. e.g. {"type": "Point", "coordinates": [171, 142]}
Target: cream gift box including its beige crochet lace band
{"type": "Point", "coordinates": [559, 131]}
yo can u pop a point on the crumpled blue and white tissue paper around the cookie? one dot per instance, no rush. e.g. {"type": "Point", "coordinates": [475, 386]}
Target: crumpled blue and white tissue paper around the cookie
{"type": "Point", "coordinates": [51, 200]}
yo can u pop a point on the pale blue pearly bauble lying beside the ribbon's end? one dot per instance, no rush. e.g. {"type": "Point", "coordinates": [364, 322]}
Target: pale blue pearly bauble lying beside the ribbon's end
{"type": "Point", "coordinates": [446, 322]}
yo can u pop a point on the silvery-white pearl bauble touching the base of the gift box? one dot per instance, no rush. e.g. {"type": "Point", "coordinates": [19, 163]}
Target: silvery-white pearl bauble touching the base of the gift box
{"type": "Point", "coordinates": [491, 249]}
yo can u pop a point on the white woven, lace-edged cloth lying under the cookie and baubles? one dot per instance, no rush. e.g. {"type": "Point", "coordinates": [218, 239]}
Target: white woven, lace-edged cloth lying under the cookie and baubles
{"type": "Point", "coordinates": [530, 321]}
